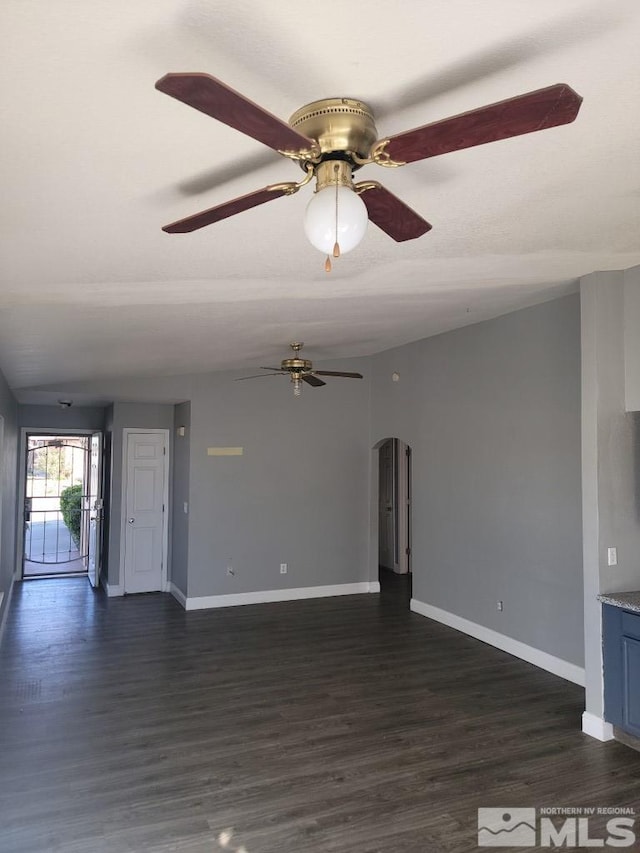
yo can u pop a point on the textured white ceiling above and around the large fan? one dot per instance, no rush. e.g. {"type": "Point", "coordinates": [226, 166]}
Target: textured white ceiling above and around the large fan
{"type": "Point", "coordinates": [95, 161]}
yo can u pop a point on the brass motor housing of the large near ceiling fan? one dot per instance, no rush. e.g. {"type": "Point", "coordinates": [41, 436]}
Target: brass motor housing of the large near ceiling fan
{"type": "Point", "coordinates": [338, 125]}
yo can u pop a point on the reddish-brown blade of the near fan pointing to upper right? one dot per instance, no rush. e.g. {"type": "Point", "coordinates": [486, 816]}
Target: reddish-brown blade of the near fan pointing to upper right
{"type": "Point", "coordinates": [549, 107]}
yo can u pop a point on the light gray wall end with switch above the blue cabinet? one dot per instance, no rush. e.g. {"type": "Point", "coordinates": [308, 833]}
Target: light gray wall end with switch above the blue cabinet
{"type": "Point", "coordinates": [610, 464]}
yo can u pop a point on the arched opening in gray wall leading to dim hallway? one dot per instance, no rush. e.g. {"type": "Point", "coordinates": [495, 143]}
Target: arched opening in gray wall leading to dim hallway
{"type": "Point", "coordinates": [394, 513]}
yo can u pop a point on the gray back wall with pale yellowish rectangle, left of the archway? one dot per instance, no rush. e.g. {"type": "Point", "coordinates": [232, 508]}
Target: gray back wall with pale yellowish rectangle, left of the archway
{"type": "Point", "coordinates": [298, 495]}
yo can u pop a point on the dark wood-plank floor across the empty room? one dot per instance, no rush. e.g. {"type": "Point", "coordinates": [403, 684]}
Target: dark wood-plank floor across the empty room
{"type": "Point", "coordinates": [345, 724]}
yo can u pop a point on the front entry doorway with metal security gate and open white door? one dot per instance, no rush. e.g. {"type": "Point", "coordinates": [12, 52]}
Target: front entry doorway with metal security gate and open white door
{"type": "Point", "coordinates": [62, 505]}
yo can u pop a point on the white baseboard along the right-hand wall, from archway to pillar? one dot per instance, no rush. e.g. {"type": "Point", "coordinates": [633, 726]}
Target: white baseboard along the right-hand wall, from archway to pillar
{"type": "Point", "coordinates": [557, 666]}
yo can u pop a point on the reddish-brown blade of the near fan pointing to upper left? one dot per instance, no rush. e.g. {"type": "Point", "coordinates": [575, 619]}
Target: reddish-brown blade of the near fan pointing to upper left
{"type": "Point", "coordinates": [211, 96]}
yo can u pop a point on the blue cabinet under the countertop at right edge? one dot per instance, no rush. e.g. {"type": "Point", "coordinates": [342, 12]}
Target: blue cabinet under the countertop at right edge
{"type": "Point", "coordinates": [621, 659]}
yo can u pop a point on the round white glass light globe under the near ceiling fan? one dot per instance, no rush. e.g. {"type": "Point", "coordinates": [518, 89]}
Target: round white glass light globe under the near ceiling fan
{"type": "Point", "coordinates": [320, 220]}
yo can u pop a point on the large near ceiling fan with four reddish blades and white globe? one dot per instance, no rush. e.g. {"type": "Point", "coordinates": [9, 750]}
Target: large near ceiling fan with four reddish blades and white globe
{"type": "Point", "coordinates": [334, 137]}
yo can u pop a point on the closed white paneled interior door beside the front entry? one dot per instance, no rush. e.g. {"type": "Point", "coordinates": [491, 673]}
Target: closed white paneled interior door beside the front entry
{"type": "Point", "coordinates": [144, 523]}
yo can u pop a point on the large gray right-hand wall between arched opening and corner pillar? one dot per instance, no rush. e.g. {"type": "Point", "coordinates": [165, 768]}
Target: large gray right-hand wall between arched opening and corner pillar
{"type": "Point", "coordinates": [492, 414]}
